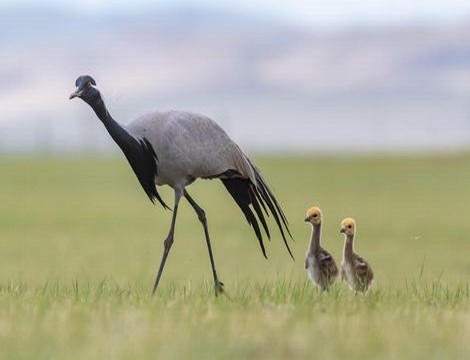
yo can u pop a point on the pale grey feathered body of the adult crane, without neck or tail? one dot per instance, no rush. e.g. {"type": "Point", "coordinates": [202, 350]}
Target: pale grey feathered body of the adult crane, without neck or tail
{"type": "Point", "coordinates": [189, 146]}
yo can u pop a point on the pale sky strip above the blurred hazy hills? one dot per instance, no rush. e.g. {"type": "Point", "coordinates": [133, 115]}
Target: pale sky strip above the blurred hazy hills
{"type": "Point", "coordinates": [331, 13]}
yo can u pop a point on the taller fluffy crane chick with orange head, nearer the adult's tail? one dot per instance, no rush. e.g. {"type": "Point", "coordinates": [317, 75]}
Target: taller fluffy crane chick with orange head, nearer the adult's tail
{"type": "Point", "coordinates": [320, 265]}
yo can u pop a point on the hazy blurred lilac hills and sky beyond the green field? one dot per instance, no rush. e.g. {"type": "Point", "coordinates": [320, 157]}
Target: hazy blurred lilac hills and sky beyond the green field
{"type": "Point", "coordinates": [284, 76]}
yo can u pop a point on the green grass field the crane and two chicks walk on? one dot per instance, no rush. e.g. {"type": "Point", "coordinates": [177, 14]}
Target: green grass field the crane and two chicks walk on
{"type": "Point", "coordinates": [80, 244]}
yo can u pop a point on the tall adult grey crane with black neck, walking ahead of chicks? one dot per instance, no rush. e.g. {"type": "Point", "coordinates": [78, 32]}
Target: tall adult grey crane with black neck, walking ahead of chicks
{"type": "Point", "coordinates": [175, 148]}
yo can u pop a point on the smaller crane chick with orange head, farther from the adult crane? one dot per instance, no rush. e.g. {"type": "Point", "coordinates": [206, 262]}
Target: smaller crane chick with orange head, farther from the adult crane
{"type": "Point", "coordinates": [354, 269]}
